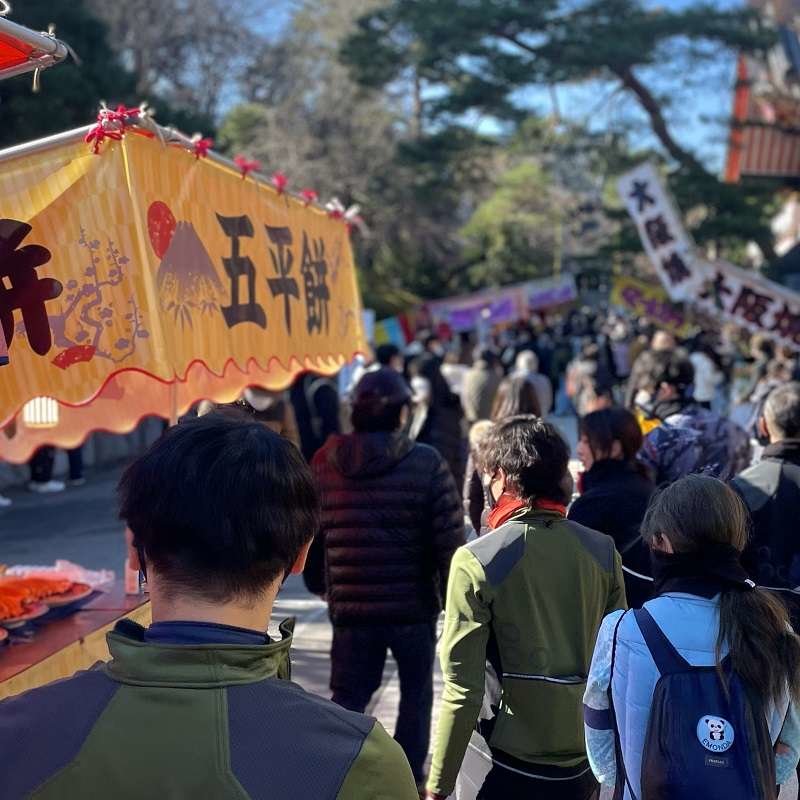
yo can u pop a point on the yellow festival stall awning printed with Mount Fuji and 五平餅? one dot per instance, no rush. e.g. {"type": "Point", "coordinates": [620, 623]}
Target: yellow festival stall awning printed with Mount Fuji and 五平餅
{"type": "Point", "coordinates": [143, 279]}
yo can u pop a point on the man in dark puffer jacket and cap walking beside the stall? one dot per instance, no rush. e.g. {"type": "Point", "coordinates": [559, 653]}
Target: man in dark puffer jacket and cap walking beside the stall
{"type": "Point", "coordinates": [391, 521]}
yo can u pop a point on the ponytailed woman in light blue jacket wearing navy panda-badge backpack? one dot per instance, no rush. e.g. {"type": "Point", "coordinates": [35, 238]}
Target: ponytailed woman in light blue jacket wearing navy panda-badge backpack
{"type": "Point", "coordinates": [733, 724]}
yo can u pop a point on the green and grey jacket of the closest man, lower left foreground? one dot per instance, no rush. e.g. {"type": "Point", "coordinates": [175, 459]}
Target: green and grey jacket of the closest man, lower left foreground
{"type": "Point", "coordinates": [195, 721]}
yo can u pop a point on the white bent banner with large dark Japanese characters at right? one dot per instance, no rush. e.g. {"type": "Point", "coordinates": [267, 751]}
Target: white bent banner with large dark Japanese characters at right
{"type": "Point", "coordinates": [719, 288]}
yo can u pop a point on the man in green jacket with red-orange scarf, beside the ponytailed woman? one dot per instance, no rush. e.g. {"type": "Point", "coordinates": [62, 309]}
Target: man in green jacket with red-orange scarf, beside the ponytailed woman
{"type": "Point", "coordinates": [524, 604]}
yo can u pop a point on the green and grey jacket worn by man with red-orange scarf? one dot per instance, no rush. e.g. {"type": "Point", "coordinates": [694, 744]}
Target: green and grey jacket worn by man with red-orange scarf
{"type": "Point", "coordinates": [530, 597]}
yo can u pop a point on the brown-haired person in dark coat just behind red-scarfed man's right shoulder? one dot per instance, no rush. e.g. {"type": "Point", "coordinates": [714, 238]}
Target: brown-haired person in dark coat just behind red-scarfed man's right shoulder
{"type": "Point", "coordinates": [615, 489]}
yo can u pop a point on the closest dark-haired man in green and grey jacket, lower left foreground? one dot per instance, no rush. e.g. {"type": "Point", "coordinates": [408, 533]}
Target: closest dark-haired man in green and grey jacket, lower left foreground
{"type": "Point", "coordinates": [199, 705]}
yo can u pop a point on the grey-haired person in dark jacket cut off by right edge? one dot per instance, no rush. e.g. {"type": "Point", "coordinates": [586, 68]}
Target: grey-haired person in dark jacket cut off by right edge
{"type": "Point", "coordinates": [771, 492]}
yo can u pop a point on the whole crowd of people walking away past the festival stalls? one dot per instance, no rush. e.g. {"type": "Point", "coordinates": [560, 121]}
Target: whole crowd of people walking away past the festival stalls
{"type": "Point", "coordinates": [623, 615]}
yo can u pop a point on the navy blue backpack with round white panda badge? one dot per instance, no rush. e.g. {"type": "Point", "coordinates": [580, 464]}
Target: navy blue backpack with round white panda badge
{"type": "Point", "coordinates": [702, 743]}
